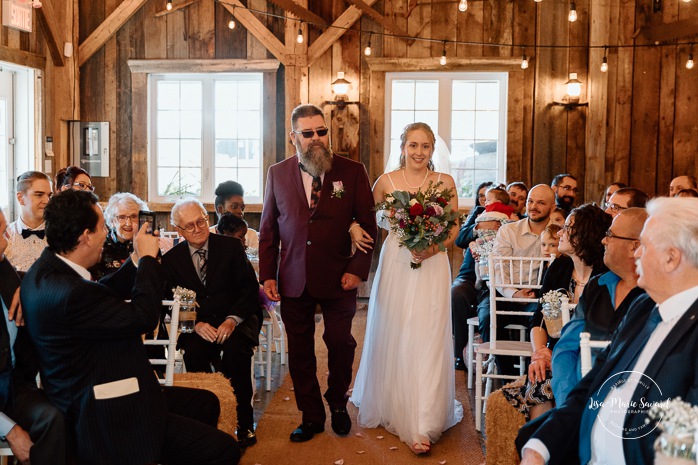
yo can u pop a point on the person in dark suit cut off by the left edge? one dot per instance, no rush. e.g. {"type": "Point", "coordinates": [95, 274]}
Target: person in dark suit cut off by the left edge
{"type": "Point", "coordinates": [31, 425]}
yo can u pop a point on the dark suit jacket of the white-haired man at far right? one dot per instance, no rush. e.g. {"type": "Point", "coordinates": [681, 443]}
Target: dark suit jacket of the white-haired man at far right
{"type": "Point", "coordinates": [674, 368]}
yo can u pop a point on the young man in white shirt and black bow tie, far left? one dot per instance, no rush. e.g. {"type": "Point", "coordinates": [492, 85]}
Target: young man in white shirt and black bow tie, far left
{"type": "Point", "coordinates": [26, 235]}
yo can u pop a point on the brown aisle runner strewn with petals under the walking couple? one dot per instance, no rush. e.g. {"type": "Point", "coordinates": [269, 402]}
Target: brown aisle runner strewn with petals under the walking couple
{"type": "Point", "coordinates": [459, 445]}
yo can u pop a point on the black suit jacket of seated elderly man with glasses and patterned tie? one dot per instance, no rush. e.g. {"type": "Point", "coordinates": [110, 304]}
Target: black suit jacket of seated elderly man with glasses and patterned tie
{"type": "Point", "coordinates": [231, 284]}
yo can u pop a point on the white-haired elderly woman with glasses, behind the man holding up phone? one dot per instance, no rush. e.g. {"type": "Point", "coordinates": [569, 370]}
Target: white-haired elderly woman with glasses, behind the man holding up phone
{"type": "Point", "coordinates": [121, 217]}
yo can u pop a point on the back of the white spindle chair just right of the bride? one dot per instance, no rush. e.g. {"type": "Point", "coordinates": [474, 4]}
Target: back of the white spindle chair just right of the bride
{"type": "Point", "coordinates": [513, 273]}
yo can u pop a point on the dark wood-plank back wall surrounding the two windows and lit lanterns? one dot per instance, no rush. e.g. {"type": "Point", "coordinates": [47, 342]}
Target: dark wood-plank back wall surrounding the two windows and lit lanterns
{"type": "Point", "coordinates": [639, 126]}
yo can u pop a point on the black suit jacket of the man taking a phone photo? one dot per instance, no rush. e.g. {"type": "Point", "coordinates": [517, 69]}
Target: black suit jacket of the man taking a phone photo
{"type": "Point", "coordinates": [87, 336]}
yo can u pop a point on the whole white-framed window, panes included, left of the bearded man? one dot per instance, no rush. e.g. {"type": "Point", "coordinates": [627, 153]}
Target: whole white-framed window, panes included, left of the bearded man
{"type": "Point", "coordinates": [205, 129]}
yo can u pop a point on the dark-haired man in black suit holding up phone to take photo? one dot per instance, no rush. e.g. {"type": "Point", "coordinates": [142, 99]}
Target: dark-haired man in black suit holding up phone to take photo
{"type": "Point", "coordinates": [93, 362]}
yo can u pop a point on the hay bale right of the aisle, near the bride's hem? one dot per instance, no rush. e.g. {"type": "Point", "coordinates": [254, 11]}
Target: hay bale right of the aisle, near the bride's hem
{"type": "Point", "coordinates": [502, 423]}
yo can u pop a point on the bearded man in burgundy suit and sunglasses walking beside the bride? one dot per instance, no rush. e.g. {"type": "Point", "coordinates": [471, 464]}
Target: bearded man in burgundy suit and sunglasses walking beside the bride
{"type": "Point", "coordinates": [311, 201]}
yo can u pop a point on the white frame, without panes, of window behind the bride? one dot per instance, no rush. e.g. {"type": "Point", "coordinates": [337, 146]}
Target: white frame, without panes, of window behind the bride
{"type": "Point", "coordinates": [445, 101]}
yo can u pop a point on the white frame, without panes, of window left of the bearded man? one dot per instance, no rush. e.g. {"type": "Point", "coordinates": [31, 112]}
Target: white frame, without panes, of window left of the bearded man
{"type": "Point", "coordinates": [208, 132]}
